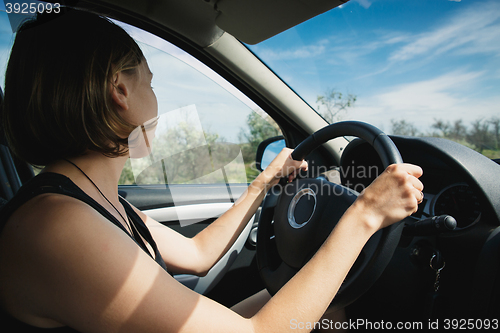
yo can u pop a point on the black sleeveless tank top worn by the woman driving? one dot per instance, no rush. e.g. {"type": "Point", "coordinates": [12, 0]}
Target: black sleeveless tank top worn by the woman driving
{"type": "Point", "coordinates": [57, 183]}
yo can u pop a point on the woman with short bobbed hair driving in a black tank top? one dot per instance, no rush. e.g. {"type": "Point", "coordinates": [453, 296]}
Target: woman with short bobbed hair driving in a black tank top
{"type": "Point", "coordinates": [73, 254]}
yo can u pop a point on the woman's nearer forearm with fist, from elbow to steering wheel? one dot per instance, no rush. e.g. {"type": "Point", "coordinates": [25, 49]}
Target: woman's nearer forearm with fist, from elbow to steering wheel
{"type": "Point", "coordinates": [392, 197]}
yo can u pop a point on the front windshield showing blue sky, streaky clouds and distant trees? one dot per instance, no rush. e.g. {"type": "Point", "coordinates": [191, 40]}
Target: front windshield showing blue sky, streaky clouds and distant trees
{"type": "Point", "coordinates": [413, 67]}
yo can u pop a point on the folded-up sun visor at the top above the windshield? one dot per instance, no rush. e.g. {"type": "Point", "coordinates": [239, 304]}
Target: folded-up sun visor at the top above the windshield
{"type": "Point", "coordinates": [253, 21]}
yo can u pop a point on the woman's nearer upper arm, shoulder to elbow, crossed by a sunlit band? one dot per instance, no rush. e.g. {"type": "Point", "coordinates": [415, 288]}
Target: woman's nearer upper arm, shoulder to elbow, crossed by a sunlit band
{"type": "Point", "coordinates": [64, 264]}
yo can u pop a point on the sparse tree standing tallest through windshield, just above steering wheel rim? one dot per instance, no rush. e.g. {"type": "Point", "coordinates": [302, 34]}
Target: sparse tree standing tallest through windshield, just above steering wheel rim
{"type": "Point", "coordinates": [333, 103]}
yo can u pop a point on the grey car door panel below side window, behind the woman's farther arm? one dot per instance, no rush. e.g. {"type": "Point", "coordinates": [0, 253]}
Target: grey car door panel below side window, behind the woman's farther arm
{"type": "Point", "coordinates": [188, 215]}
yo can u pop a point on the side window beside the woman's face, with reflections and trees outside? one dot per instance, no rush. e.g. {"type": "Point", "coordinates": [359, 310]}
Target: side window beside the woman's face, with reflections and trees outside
{"type": "Point", "coordinates": [207, 131]}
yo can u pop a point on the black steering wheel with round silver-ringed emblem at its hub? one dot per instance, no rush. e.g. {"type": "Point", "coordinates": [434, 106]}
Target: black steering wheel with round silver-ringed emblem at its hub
{"type": "Point", "coordinates": [298, 217]}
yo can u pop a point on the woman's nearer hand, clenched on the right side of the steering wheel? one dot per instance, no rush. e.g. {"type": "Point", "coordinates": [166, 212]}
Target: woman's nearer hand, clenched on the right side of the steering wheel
{"type": "Point", "coordinates": [394, 195]}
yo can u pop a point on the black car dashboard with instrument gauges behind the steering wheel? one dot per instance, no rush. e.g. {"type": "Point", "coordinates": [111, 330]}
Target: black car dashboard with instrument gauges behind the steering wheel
{"type": "Point", "coordinates": [458, 182]}
